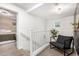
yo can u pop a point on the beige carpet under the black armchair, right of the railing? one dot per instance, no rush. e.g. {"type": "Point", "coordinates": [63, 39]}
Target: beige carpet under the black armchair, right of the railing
{"type": "Point", "coordinates": [52, 52]}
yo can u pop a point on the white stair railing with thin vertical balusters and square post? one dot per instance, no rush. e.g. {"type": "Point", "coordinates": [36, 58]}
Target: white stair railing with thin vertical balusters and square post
{"type": "Point", "coordinates": [38, 39]}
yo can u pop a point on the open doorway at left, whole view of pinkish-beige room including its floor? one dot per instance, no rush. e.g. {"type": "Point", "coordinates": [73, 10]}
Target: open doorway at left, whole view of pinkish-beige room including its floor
{"type": "Point", "coordinates": [8, 20]}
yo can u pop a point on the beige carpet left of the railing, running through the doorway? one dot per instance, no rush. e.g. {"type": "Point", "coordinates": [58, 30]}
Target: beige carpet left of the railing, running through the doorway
{"type": "Point", "coordinates": [11, 50]}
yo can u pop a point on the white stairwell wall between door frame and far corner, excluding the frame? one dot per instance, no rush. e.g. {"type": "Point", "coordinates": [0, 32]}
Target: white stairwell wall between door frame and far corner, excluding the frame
{"type": "Point", "coordinates": [30, 24]}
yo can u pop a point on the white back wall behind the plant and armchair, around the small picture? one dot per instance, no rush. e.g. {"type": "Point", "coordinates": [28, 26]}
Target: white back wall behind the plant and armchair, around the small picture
{"type": "Point", "coordinates": [65, 28]}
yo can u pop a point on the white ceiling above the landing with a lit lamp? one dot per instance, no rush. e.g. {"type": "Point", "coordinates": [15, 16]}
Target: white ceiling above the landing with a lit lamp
{"type": "Point", "coordinates": [48, 10]}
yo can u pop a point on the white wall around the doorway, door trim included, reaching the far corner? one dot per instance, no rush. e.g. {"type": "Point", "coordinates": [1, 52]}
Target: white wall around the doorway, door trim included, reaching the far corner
{"type": "Point", "coordinates": [25, 23]}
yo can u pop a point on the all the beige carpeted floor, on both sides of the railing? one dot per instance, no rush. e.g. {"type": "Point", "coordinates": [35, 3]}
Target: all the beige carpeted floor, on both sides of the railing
{"type": "Point", "coordinates": [11, 50]}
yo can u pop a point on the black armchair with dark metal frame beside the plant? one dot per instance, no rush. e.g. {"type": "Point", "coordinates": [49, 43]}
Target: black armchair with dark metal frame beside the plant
{"type": "Point", "coordinates": [63, 43]}
